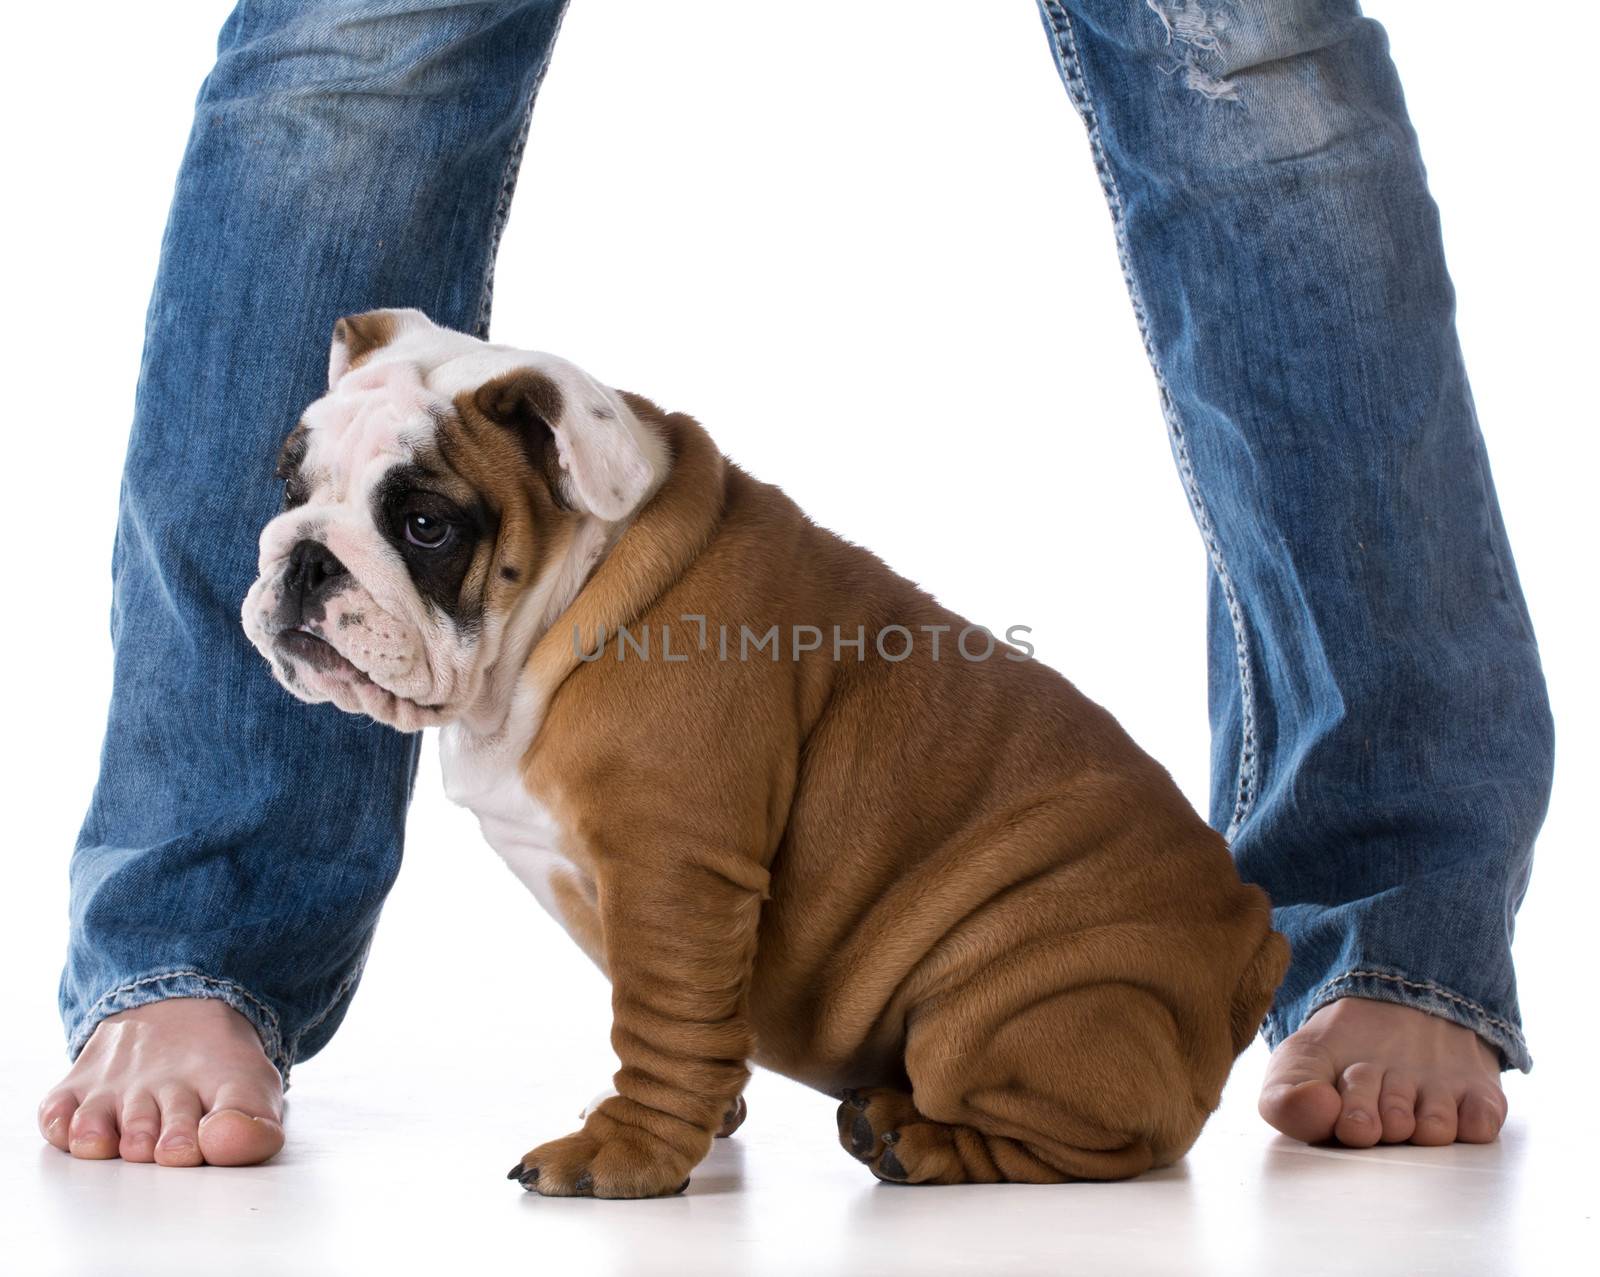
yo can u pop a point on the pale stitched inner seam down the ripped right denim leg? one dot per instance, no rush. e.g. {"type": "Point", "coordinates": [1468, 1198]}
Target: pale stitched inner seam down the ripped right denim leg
{"type": "Point", "coordinates": [1060, 26]}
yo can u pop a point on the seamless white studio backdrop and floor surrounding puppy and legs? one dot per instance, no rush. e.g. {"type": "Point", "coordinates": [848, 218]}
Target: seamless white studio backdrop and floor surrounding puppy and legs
{"type": "Point", "coordinates": [479, 1030]}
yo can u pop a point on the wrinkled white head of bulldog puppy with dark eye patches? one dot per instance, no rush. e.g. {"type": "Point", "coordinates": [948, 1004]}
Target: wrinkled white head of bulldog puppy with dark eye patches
{"type": "Point", "coordinates": [439, 503]}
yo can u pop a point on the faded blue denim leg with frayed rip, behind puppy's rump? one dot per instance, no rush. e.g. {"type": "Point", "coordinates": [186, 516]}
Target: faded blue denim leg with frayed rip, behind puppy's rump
{"type": "Point", "coordinates": [1382, 737]}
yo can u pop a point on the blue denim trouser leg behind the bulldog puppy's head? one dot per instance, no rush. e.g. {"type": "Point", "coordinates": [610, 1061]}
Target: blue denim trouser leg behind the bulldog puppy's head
{"type": "Point", "coordinates": [345, 156]}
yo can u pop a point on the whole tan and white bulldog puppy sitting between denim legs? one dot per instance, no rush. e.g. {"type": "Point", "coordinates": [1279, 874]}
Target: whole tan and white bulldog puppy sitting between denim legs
{"type": "Point", "coordinates": [948, 891]}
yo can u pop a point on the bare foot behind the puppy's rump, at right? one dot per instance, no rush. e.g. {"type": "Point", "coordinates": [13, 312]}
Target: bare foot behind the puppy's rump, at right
{"type": "Point", "coordinates": [1362, 1071]}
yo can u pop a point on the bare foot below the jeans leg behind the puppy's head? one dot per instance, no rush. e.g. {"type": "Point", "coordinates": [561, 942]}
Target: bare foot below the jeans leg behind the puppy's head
{"type": "Point", "coordinates": [180, 1083]}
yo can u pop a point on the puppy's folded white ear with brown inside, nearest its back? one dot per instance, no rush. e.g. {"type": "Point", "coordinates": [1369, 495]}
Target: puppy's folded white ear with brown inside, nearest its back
{"type": "Point", "coordinates": [599, 466]}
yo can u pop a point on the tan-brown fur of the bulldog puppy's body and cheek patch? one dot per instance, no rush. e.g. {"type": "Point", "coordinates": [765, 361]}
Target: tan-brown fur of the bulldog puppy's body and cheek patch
{"type": "Point", "coordinates": [954, 894]}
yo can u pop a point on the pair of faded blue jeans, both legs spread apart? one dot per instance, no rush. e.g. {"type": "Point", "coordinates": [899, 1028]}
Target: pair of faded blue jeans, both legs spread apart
{"type": "Point", "coordinates": [1382, 739]}
